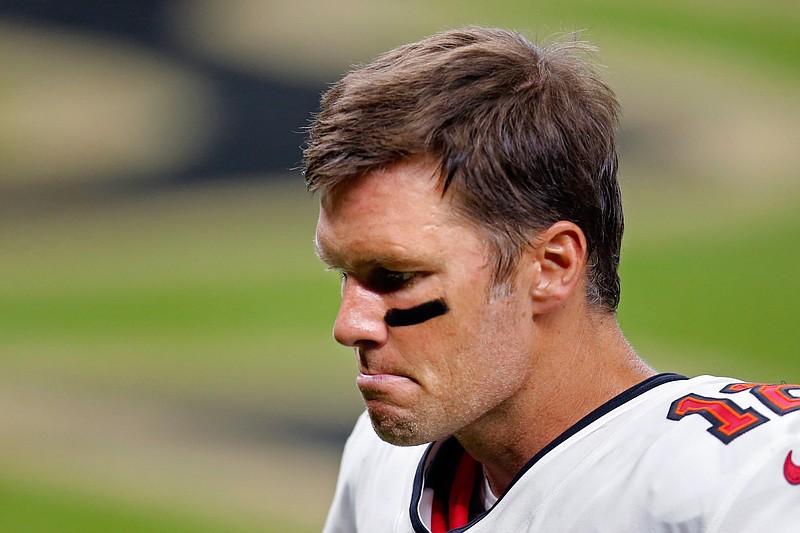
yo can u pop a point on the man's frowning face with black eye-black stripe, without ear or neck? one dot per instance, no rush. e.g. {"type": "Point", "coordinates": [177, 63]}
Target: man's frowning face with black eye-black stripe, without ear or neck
{"type": "Point", "coordinates": [435, 351]}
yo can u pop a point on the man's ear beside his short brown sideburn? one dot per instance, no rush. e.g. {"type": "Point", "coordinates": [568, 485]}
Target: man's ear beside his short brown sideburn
{"type": "Point", "coordinates": [560, 261]}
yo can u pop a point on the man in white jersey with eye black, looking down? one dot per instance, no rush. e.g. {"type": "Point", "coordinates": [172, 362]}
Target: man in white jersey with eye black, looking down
{"type": "Point", "coordinates": [468, 196]}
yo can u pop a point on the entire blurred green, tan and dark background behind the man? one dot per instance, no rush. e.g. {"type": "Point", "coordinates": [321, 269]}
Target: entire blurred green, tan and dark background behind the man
{"type": "Point", "coordinates": [166, 361]}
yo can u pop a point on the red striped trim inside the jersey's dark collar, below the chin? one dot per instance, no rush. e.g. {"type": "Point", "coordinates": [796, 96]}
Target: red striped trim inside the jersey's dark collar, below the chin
{"type": "Point", "coordinates": [455, 513]}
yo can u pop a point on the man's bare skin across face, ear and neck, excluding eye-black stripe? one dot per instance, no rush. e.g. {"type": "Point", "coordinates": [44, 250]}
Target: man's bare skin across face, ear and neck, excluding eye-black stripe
{"type": "Point", "coordinates": [489, 369]}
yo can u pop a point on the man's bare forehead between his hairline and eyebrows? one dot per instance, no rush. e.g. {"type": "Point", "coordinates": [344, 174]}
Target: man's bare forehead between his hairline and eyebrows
{"type": "Point", "coordinates": [393, 214]}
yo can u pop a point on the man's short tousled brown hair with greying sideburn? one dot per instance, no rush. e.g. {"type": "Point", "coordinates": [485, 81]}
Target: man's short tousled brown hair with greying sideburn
{"type": "Point", "coordinates": [525, 136]}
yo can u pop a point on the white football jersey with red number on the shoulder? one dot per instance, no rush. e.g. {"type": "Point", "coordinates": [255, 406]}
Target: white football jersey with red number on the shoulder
{"type": "Point", "coordinates": [671, 454]}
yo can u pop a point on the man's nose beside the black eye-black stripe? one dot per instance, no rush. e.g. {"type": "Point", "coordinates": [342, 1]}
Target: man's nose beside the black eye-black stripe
{"type": "Point", "coordinates": [359, 322]}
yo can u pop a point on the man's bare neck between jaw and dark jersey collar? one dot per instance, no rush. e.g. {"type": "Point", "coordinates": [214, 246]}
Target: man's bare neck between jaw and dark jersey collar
{"type": "Point", "coordinates": [601, 364]}
